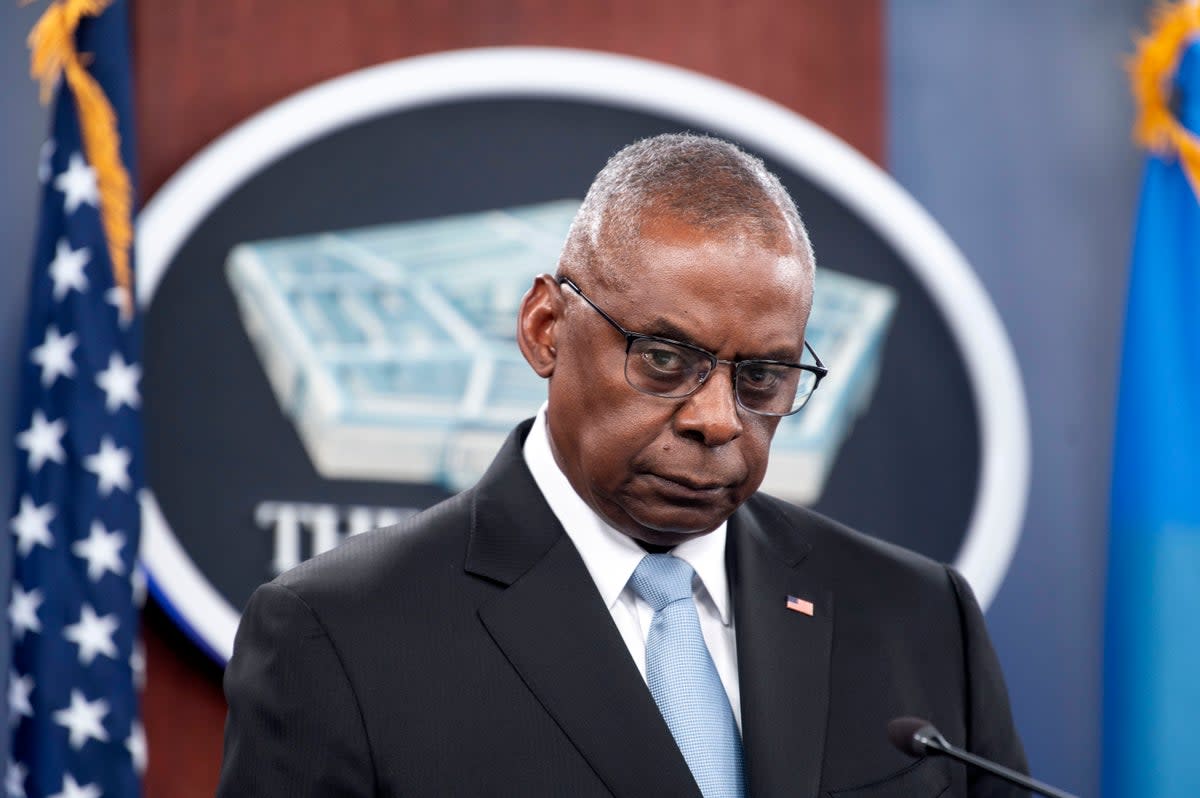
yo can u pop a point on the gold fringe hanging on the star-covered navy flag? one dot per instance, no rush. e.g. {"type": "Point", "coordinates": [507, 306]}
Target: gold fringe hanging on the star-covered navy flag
{"type": "Point", "coordinates": [53, 56]}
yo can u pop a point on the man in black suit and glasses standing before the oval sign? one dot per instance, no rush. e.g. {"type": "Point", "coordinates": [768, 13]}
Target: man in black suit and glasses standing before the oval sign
{"type": "Point", "coordinates": [614, 610]}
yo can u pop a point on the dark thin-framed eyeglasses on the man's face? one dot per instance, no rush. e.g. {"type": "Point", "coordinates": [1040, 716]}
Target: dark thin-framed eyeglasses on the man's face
{"type": "Point", "coordinates": [675, 370]}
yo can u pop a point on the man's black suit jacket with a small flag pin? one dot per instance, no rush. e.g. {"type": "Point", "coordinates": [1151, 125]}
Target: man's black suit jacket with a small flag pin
{"type": "Point", "coordinates": [470, 653]}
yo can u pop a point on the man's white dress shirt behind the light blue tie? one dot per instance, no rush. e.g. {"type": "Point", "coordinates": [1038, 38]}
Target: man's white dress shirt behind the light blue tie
{"type": "Point", "coordinates": [611, 559]}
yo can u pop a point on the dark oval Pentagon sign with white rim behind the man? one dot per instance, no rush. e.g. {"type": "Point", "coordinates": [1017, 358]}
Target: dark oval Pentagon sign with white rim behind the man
{"type": "Point", "coordinates": [331, 293]}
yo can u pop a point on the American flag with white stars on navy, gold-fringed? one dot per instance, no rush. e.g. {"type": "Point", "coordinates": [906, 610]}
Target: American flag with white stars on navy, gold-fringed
{"type": "Point", "coordinates": [73, 697]}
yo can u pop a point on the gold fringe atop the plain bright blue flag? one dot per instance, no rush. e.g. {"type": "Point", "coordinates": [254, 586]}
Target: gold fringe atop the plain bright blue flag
{"type": "Point", "coordinates": [1151, 73]}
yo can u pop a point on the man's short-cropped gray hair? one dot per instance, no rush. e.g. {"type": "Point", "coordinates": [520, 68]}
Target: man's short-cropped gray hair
{"type": "Point", "coordinates": [700, 181]}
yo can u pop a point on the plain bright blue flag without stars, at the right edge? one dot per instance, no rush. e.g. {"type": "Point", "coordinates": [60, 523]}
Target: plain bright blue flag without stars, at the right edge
{"type": "Point", "coordinates": [1153, 646]}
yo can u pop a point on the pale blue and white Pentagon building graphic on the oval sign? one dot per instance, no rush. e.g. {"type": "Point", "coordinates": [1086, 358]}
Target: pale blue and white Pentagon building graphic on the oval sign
{"type": "Point", "coordinates": [393, 349]}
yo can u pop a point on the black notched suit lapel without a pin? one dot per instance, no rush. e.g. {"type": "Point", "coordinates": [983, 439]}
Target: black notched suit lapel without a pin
{"type": "Point", "coordinates": [555, 629]}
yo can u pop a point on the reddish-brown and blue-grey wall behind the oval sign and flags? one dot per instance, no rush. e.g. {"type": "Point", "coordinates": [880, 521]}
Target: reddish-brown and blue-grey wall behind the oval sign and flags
{"type": "Point", "coordinates": [1010, 123]}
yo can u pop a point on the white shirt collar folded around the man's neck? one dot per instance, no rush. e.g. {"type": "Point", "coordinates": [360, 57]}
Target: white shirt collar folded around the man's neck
{"type": "Point", "coordinates": [609, 555]}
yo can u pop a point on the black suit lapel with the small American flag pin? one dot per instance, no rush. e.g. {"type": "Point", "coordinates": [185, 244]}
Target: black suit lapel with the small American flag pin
{"type": "Point", "coordinates": [784, 657]}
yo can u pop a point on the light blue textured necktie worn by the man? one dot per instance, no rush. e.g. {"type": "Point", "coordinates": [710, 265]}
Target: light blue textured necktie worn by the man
{"type": "Point", "coordinates": [685, 681]}
